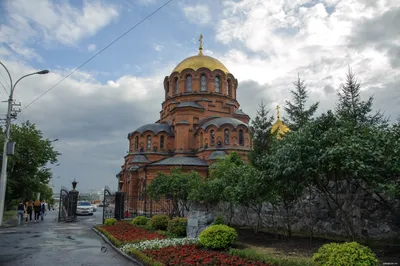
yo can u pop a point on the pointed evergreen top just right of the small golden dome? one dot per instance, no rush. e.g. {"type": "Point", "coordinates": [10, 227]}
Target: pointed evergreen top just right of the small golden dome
{"type": "Point", "coordinates": [298, 114]}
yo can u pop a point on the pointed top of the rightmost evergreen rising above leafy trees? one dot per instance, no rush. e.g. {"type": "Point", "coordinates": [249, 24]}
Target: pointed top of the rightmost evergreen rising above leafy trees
{"type": "Point", "coordinates": [350, 106]}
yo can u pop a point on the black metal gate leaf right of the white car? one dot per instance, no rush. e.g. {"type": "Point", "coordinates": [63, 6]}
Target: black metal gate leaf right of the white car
{"type": "Point", "coordinates": [113, 204]}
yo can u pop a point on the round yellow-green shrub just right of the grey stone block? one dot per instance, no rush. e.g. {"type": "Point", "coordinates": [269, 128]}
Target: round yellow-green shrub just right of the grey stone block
{"type": "Point", "coordinates": [218, 236]}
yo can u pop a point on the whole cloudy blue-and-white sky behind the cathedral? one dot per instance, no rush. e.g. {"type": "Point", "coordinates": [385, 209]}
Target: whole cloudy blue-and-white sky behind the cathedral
{"type": "Point", "coordinates": [265, 44]}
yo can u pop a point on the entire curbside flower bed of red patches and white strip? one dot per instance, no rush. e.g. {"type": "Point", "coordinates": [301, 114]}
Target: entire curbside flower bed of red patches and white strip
{"type": "Point", "coordinates": [156, 249]}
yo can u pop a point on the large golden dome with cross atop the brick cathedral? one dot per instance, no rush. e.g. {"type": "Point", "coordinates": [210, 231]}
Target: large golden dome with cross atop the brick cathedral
{"type": "Point", "coordinates": [199, 61]}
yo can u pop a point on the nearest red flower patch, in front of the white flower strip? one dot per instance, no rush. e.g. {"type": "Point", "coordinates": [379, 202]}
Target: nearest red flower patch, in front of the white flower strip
{"type": "Point", "coordinates": [193, 255]}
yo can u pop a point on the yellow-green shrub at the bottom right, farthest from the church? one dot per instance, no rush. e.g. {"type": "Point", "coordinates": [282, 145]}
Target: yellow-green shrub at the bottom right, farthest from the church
{"type": "Point", "coordinates": [350, 253]}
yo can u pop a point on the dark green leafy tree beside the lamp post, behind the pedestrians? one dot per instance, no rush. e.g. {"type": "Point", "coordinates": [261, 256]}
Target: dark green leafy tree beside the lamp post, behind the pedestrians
{"type": "Point", "coordinates": [26, 169]}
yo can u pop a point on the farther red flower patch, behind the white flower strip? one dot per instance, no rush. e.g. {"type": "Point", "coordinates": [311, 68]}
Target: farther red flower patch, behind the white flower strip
{"type": "Point", "coordinates": [126, 233]}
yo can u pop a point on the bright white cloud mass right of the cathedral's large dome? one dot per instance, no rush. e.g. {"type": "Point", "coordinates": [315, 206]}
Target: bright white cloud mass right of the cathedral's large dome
{"type": "Point", "coordinates": [314, 39]}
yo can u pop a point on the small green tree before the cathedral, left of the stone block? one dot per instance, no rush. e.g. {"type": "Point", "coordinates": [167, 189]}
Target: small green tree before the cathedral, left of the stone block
{"type": "Point", "coordinates": [176, 186]}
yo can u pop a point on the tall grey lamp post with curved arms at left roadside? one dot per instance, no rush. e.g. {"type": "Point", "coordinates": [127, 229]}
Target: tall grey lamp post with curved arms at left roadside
{"type": "Point", "coordinates": [3, 178]}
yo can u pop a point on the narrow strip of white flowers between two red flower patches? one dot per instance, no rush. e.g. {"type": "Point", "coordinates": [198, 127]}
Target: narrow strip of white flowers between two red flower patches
{"type": "Point", "coordinates": [159, 243]}
